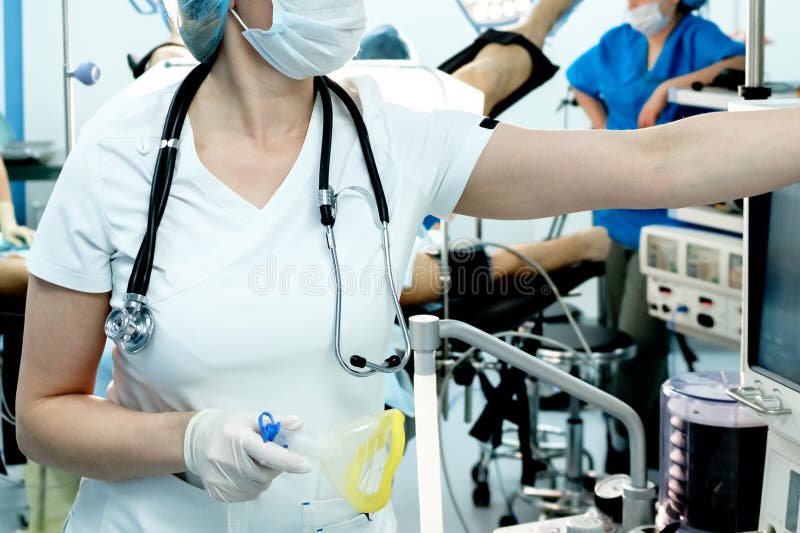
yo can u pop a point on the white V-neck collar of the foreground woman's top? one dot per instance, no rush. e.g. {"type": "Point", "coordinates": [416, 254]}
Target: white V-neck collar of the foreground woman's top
{"type": "Point", "coordinates": [230, 200]}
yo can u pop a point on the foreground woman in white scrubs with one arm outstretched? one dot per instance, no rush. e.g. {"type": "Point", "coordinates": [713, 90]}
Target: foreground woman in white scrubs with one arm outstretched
{"type": "Point", "coordinates": [244, 201]}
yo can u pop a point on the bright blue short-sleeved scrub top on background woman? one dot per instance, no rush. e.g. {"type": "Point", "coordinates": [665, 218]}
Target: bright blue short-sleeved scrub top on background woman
{"type": "Point", "coordinates": [615, 72]}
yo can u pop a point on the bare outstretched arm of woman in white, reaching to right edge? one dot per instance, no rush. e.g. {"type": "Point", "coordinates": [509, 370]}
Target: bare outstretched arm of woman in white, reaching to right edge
{"type": "Point", "coordinates": [722, 156]}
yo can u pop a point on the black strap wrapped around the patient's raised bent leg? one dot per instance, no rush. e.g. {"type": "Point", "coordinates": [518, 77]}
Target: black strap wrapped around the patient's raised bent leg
{"type": "Point", "coordinates": [542, 71]}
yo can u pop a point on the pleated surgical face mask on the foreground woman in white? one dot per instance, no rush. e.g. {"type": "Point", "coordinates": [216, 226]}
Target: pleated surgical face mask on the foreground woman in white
{"type": "Point", "coordinates": [309, 37]}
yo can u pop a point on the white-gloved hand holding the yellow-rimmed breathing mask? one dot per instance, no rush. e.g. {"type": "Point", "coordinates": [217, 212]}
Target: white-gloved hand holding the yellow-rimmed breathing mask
{"type": "Point", "coordinates": [226, 452]}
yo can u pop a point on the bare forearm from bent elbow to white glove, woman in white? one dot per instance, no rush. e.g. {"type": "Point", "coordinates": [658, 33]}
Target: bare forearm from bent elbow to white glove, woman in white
{"type": "Point", "coordinates": [95, 438]}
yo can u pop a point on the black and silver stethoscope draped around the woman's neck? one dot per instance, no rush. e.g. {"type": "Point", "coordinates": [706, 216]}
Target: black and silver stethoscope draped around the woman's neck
{"type": "Point", "coordinates": [131, 326]}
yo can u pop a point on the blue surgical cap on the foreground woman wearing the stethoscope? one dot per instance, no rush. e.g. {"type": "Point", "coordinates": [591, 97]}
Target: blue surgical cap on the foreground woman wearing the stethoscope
{"type": "Point", "coordinates": [202, 25]}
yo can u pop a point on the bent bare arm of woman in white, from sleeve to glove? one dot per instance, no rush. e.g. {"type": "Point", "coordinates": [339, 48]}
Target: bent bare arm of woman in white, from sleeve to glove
{"type": "Point", "coordinates": [59, 423]}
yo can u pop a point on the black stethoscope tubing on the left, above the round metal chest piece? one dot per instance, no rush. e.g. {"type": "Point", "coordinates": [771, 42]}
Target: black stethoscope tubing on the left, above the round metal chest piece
{"type": "Point", "coordinates": [139, 281]}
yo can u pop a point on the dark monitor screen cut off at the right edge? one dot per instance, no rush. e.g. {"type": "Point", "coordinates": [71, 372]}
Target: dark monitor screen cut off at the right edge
{"type": "Point", "coordinates": [774, 295]}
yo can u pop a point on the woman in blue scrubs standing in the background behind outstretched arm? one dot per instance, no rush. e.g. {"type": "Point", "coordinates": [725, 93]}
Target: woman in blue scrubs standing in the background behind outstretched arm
{"type": "Point", "coordinates": [622, 84]}
